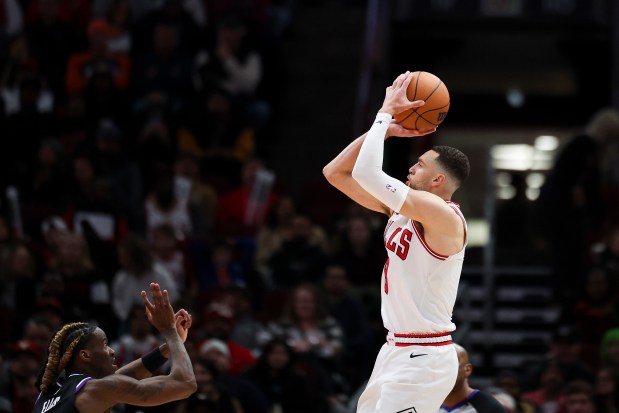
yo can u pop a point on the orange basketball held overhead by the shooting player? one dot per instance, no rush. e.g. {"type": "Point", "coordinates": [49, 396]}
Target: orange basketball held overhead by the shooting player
{"type": "Point", "coordinates": [429, 88]}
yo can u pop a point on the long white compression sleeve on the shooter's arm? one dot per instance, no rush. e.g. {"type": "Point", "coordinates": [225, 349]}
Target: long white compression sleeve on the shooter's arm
{"type": "Point", "coordinates": [368, 169]}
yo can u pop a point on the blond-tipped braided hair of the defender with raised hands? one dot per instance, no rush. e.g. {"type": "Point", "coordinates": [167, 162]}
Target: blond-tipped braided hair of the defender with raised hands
{"type": "Point", "coordinates": [62, 349]}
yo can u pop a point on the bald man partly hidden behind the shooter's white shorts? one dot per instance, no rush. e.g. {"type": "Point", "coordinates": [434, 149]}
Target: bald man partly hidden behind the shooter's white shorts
{"type": "Point", "coordinates": [464, 398]}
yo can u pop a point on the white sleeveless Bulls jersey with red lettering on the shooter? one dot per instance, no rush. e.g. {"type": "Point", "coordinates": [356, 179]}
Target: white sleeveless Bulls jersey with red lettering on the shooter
{"type": "Point", "coordinates": [419, 286]}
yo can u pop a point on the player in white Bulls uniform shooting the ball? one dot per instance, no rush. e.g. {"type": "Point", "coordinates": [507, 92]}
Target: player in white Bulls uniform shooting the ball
{"type": "Point", "coordinates": [425, 238]}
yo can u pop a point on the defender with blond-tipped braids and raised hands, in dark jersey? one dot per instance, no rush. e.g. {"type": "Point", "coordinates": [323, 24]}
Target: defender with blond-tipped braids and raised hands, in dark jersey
{"type": "Point", "coordinates": [80, 374]}
